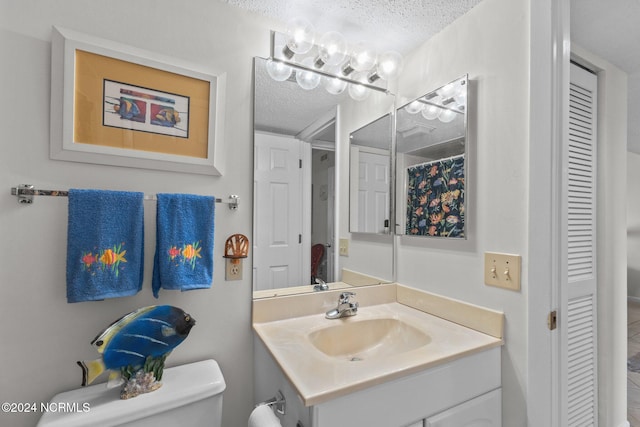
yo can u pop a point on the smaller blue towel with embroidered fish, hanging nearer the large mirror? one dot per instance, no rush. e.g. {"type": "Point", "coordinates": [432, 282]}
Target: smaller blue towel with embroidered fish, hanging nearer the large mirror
{"type": "Point", "coordinates": [184, 242]}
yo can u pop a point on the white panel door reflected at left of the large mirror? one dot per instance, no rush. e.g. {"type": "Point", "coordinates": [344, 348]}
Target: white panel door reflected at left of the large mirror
{"type": "Point", "coordinates": [277, 228]}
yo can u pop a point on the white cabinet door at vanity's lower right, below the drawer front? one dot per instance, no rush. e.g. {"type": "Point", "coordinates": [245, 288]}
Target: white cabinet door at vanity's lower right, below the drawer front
{"type": "Point", "coordinates": [483, 411]}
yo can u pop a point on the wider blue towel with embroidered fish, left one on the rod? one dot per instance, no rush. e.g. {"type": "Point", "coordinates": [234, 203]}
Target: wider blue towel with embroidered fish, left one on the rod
{"type": "Point", "coordinates": [105, 244]}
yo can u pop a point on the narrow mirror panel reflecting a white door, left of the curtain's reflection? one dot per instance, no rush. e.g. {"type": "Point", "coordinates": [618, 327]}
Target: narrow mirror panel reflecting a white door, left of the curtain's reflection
{"type": "Point", "coordinates": [369, 177]}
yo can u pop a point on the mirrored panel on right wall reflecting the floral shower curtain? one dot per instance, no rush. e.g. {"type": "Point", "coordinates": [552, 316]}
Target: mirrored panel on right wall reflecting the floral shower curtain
{"type": "Point", "coordinates": [431, 163]}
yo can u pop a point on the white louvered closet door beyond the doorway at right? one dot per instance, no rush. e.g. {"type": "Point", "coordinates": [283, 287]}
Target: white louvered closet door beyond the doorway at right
{"type": "Point", "coordinates": [577, 319]}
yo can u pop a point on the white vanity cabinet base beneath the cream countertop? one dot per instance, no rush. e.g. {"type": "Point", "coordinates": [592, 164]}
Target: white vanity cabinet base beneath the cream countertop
{"type": "Point", "coordinates": [458, 393]}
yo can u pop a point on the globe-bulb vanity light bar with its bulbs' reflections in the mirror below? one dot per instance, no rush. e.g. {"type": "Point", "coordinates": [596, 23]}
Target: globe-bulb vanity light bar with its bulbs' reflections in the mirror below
{"type": "Point", "coordinates": [331, 61]}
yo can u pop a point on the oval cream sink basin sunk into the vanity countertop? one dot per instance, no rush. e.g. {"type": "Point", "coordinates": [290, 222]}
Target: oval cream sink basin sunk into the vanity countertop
{"type": "Point", "coordinates": [368, 339]}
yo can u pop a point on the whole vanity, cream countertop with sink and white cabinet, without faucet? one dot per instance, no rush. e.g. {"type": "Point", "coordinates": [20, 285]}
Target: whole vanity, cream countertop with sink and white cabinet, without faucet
{"type": "Point", "coordinates": [395, 364]}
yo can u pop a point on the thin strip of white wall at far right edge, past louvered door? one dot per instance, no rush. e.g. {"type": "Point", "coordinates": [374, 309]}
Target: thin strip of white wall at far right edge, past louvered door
{"type": "Point", "coordinates": [633, 225]}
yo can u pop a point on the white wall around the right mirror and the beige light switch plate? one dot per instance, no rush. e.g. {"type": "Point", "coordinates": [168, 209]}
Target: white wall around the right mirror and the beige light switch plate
{"type": "Point", "coordinates": [491, 44]}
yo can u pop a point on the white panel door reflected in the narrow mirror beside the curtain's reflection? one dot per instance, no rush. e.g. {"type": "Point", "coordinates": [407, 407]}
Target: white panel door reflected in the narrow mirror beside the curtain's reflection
{"type": "Point", "coordinates": [373, 192]}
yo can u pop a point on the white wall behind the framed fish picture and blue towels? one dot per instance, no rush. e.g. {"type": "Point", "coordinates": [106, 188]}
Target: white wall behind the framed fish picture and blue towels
{"type": "Point", "coordinates": [43, 336]}
